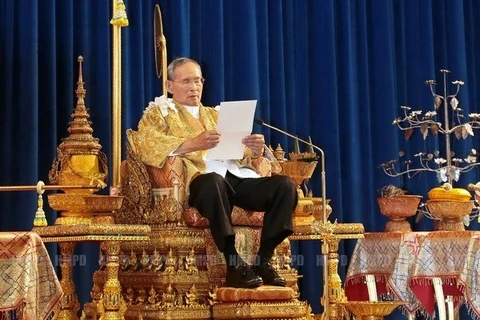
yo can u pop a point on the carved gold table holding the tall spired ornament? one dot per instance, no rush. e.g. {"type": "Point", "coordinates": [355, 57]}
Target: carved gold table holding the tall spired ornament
{"type": "Point", "coordinates": [109, 302]}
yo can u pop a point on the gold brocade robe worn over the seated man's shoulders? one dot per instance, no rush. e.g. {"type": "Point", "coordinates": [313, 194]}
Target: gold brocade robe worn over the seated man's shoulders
{"type": "Point", "coordinates": [162, 129]}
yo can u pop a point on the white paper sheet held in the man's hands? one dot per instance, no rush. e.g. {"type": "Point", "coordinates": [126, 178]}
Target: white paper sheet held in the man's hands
{"type": "Point", "coordinates": [235, 122]}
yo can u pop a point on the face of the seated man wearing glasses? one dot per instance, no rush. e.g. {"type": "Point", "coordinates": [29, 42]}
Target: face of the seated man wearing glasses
{"type": "Point", "coordinates": [187, 86]}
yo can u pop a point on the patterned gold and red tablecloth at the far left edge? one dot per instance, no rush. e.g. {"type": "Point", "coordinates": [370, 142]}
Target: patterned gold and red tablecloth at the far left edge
{"type": "Point", "coordinates": [29, 287]}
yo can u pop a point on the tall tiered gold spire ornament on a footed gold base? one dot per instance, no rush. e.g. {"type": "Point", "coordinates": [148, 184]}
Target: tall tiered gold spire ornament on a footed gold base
{"type": "Point", "coordinates": [79, 162]}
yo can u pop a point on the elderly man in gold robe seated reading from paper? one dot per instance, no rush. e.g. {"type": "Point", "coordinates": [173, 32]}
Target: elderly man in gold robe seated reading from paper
{"type": "Point", "coordinates": [183, 127]}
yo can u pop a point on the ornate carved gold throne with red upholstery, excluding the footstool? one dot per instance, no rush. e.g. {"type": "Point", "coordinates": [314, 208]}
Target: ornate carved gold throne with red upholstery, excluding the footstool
{"type": "Point", "coordinates": [180, 267]}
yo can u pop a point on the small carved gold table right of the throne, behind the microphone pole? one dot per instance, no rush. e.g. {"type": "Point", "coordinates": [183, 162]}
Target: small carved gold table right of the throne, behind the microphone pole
{"type": "Point", "coordinates": [330, 235]}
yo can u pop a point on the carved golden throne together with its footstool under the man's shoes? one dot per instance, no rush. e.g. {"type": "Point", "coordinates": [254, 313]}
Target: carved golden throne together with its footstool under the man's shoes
{"type": "Point", "coordinates": [179, 273]}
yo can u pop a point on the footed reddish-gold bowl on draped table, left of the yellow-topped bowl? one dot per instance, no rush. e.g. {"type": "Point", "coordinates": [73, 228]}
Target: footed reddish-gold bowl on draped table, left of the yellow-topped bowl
{"type": "Point", "coordinates": [398, 209]}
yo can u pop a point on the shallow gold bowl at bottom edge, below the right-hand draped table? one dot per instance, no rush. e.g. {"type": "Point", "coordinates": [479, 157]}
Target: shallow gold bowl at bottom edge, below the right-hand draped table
{"type": "Point", "coordinates": [371, 309]}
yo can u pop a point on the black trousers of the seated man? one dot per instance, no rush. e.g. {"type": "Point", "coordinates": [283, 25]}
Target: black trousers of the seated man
{"type": "Point", "coordinates": [214, 197]}
